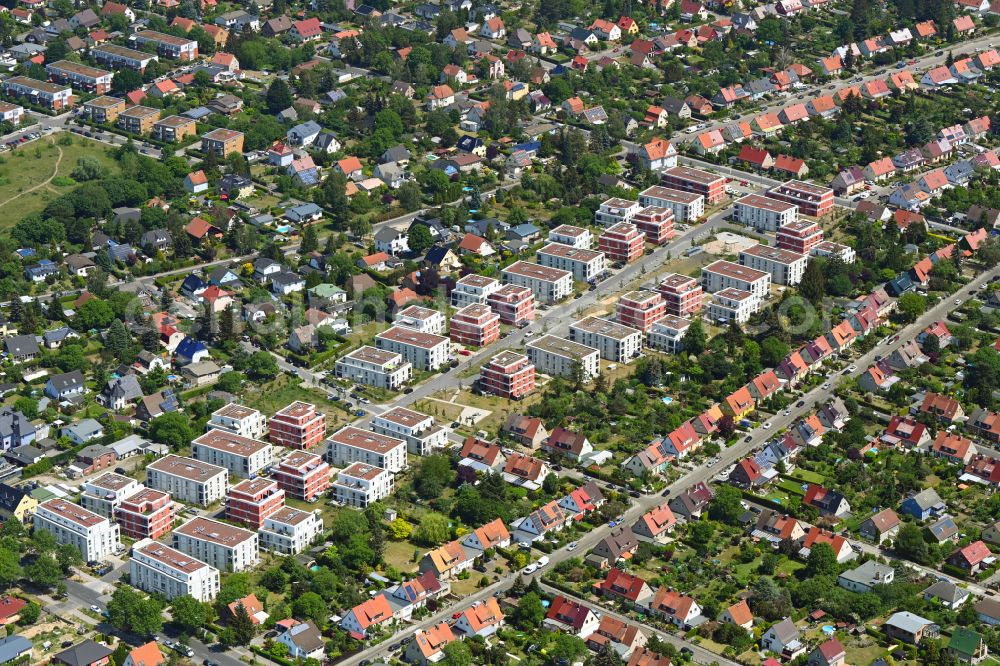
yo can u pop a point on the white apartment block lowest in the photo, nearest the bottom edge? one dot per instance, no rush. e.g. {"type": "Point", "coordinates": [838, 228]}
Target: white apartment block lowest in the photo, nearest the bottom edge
{"type": "Point", "coordinates": [159, 569]}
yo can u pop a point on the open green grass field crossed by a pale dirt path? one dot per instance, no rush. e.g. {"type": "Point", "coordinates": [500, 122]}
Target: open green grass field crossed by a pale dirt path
{"type": "Point", "coordinates": [26, 174]}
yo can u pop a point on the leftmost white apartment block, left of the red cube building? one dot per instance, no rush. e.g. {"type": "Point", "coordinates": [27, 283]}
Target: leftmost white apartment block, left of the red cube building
{"type": "Point", "coordinates": [94, 536]}
